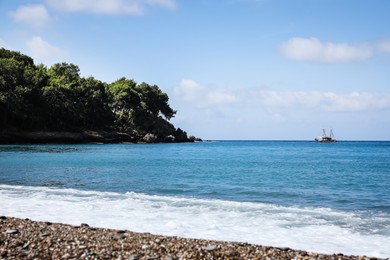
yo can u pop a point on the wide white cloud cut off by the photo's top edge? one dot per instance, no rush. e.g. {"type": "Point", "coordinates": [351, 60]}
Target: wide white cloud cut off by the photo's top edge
{"type": "Point", "coordinates": [108, 6]}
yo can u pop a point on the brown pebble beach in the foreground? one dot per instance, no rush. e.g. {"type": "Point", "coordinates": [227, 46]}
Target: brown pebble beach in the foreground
{"type": "Point", "coordinates": [28, 239]}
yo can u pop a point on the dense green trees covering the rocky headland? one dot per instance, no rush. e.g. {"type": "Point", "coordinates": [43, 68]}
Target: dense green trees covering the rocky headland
{"type": "Point", "coordinates": [57, 99]}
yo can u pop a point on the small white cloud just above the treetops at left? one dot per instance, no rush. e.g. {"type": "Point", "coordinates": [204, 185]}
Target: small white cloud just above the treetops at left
{"type": "Point", "coordinates": [43, 51]}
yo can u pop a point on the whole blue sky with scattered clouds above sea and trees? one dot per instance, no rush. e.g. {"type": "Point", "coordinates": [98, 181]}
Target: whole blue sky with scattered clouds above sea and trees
{"type": "Point", "coordinates": [233, 69]}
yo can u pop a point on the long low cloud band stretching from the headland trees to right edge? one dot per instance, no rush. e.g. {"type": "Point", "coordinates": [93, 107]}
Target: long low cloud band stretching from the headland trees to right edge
{"type": "Point", "coordinates": [215, 98]}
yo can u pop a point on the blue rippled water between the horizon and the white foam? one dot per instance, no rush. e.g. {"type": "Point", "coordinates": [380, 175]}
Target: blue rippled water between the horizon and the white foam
{"type": "Point", "coordinates": [344, 175]}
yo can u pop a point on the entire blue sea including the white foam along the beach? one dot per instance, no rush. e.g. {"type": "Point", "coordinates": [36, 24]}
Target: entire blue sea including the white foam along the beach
{"type": "Point", "coordinates": [321, 197]}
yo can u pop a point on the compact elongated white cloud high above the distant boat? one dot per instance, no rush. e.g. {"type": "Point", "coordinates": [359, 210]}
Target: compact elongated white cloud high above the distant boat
{"type": "Point", "coordinates": [312, 49]}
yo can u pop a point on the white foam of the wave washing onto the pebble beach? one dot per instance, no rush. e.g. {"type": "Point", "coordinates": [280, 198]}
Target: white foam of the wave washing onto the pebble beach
{"type": "Point", "coordinates": [313, 229]}
